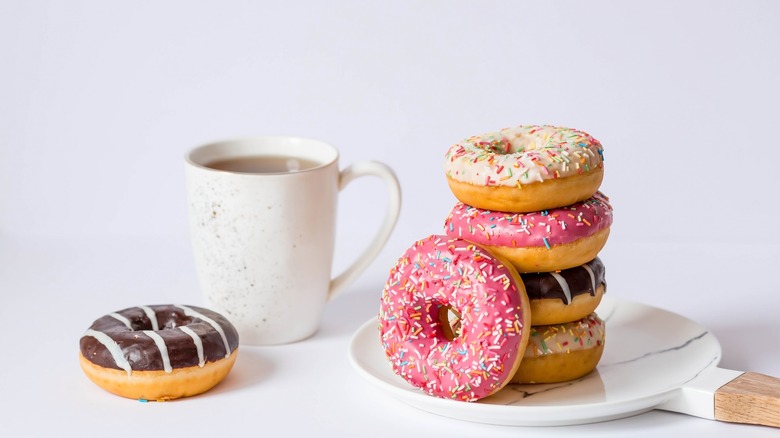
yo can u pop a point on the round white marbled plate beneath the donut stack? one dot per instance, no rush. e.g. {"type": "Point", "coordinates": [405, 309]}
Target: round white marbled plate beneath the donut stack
{"type": "Point", "coordinates": [649, 354]}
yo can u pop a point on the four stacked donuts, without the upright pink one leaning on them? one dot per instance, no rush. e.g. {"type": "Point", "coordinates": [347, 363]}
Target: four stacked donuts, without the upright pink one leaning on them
{"type": "Point", "coordinates": [530, 194]}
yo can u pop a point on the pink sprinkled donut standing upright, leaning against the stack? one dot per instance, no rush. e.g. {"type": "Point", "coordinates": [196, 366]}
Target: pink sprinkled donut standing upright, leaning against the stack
{"type": "Point", "coordinates": [439, 276]}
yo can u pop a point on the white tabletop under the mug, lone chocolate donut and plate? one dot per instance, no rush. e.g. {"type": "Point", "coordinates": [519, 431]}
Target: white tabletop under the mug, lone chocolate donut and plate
{"type": "Point", "coordinates": [55, 288]}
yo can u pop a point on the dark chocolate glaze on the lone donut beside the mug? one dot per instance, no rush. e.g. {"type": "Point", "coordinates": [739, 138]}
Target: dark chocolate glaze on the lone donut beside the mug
{"type": "Point", "coordinates": [141, 351]}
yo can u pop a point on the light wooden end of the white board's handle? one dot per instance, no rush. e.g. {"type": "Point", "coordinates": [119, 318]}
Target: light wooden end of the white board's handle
{"type": "Point", "coordinates": [751, 398]}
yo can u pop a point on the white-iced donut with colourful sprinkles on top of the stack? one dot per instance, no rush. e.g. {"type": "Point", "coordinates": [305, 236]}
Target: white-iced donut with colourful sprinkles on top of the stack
{"type": "Point", "coordinates": [525, 168]}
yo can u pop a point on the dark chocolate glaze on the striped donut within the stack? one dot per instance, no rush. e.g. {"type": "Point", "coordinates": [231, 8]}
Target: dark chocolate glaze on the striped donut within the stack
{"type": "Point", "coordinates": [543, 285]}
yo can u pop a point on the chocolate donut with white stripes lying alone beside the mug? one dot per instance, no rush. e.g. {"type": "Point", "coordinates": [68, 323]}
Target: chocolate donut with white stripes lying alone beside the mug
{"type": "Point", "coordinates": [159, 352]}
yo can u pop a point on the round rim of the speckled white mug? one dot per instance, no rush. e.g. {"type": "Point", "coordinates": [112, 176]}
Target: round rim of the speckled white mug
{"type": "Point", "coordinates": [238, 147]}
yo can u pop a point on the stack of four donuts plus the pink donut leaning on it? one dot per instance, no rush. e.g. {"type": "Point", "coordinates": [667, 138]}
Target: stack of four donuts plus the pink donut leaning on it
{"type": "Point", "coordinates": [508, 293]}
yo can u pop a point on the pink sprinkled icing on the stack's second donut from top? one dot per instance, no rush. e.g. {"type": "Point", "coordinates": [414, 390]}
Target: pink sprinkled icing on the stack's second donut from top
{"type": "Point", "coordinates": [545, 228]}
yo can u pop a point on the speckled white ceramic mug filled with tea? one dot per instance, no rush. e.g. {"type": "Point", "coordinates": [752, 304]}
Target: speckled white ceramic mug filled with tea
{"type": "Point", "coordinates": [264, 242]}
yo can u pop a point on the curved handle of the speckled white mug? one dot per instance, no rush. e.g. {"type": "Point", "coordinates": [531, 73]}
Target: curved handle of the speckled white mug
{"type": "Point", "coordinates": [352, 172]}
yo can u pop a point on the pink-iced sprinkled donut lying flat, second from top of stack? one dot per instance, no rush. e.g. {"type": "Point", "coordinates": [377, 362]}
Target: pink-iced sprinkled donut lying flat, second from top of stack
{"type": "Point", "coordinates": [549, 240]}
